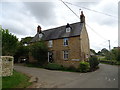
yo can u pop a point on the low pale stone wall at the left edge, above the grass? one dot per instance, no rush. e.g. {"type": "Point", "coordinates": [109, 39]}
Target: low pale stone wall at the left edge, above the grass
{"type": "Point", "coordinates": [6, 62]}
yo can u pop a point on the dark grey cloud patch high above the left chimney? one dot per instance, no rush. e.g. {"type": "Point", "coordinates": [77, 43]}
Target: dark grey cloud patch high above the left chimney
{"type": "Point", "coordinates": [43, 12]}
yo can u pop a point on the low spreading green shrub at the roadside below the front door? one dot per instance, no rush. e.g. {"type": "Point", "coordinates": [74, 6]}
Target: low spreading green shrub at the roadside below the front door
{"type": "Point", "coordinates": [53, 66]}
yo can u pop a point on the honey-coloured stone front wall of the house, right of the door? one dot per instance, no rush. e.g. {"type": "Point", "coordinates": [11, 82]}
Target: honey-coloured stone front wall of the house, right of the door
{"type": "Point", "coordinates": [73, 49]}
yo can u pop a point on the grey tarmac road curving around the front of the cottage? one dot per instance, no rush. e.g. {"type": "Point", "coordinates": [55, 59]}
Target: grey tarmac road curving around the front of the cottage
{"type": "Point", "coordinates": [105, 77]}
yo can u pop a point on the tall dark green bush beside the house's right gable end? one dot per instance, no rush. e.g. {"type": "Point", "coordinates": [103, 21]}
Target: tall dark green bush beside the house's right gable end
{"type": "Point", "coordinates": [94, 62]}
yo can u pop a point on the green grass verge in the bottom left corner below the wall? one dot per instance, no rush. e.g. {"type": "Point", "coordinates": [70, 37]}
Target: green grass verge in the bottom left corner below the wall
{"type": "Point", "coordinates": [17, 80]}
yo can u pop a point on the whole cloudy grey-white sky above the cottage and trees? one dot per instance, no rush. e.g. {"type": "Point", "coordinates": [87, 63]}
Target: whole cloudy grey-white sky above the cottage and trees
{"type": "Point", "coordinates": [22, 17]}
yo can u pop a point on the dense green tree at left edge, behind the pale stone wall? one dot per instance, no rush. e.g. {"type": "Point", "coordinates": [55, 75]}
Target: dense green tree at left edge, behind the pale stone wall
{"type": "Point", "coordinates": [9, 42]}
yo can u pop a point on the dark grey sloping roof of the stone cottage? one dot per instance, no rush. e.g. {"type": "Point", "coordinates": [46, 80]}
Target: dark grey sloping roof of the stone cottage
{"type": "Point", "coordinates": [60, 32]}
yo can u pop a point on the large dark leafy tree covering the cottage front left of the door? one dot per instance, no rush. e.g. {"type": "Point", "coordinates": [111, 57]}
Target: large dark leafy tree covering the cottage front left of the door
{"type": "Point", "coordinates": [39, 51]}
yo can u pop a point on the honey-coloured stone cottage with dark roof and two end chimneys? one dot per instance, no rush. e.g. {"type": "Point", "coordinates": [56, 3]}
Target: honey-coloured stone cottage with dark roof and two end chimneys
{"type": "Point", "coordinates": [68, 44]}
